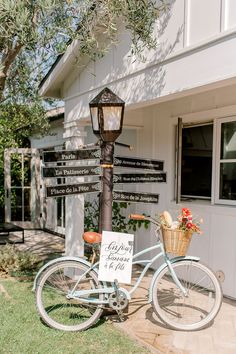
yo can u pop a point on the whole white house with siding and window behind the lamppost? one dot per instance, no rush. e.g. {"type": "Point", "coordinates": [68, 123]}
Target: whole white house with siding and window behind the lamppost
{"type": "Point", "coordinates": [191, 75]}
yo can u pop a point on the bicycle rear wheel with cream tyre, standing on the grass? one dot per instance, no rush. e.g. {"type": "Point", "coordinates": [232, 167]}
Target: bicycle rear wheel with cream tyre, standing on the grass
{"type": "Point", "coordinates": [54, 303]}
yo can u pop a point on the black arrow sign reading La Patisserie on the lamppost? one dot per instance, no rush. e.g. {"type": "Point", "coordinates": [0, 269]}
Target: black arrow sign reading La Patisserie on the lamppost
{"type": "Point", "coordinates": [63, 171]}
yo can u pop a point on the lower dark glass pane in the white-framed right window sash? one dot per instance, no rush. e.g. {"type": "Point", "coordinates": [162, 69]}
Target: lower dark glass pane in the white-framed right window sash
{"type": "Point", "coordinates": [228, 181]}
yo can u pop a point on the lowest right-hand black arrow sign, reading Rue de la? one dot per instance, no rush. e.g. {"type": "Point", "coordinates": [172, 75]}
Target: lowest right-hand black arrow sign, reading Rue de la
{"type": "Point", "coordinates": [130, 197]}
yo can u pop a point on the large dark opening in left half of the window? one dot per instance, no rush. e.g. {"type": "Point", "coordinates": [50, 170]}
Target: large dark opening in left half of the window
{"type": "Point", "coordinates": [197, 161]}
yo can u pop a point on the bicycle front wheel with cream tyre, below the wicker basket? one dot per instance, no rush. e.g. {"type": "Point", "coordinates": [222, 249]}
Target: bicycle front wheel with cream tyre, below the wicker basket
{"type": "Point", "coordinates": [195, 310]}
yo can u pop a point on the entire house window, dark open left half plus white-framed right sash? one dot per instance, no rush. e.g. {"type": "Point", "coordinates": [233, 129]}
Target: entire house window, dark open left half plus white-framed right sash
{"type": "Point", "coordinates": [196, 161]}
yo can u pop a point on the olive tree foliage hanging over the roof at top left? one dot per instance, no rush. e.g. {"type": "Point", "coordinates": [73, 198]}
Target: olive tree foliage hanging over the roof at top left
{"type": "Point", "coordinates": [34, 33]}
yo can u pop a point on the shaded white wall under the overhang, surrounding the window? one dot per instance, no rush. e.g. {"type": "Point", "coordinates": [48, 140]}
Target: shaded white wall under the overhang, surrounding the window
{"type": "Point", "coordinates": [216, 247]}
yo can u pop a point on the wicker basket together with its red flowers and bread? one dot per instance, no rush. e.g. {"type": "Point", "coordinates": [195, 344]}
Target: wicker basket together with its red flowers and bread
{"type": "Point", "coordinates": [177, 234]}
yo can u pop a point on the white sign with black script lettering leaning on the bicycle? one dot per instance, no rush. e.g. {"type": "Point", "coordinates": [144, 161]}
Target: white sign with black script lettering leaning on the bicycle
{"type": "Point", "coordinates": [116, 257]}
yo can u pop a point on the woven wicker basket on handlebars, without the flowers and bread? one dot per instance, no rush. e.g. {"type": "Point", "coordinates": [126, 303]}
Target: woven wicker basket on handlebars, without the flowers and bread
{"type": "Point", "coordinates": [176, 241]}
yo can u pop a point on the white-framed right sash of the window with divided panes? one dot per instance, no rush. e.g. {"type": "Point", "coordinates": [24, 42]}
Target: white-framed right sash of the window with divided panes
{"type": "Point", "coordinates": [225, 189]}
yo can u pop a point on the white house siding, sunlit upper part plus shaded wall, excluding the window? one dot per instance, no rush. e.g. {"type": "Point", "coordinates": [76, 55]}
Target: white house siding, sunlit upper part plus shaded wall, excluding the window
{"type": "Point", "coordinates": [196, 54]}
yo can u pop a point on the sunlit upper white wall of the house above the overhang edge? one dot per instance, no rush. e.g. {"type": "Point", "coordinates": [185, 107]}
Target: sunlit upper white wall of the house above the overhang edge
{"type": "Point", "coordinates": [196, 48]}
